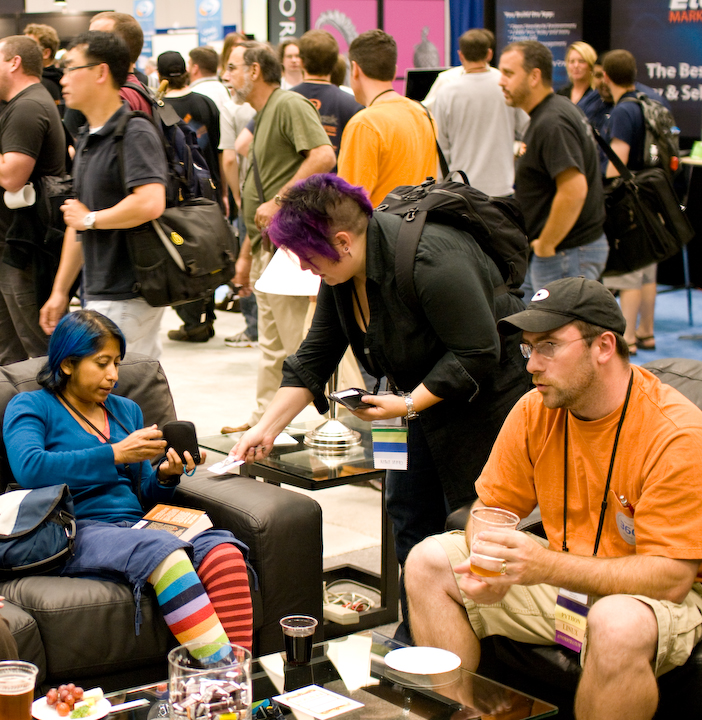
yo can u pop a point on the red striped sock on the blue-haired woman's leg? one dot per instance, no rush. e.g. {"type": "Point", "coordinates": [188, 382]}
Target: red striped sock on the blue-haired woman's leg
{"type": "Point", "coordinates": [223, 573]}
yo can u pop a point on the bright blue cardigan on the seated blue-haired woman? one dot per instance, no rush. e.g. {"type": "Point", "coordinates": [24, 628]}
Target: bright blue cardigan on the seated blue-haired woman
{"type": "Point", "coordinates": [47, 446]}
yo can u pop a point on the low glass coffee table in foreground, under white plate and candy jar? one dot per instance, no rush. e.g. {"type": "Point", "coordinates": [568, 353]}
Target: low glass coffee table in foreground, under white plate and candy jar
{"type": "Point", "coordinates": [355, 667]}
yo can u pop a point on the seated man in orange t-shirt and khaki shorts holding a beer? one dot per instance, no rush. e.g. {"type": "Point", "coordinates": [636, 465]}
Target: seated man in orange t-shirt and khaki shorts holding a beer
{"type": "Point", "coordinates": [595, 429]}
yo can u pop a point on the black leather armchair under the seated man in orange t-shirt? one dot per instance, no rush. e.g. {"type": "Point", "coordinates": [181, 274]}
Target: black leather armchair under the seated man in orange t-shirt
{"type": "Point", "coordinates": [552, 672]}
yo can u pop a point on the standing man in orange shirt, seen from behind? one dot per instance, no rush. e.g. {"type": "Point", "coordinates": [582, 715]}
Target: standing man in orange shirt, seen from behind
{"type": "Point", "coordinates": [392, 142]}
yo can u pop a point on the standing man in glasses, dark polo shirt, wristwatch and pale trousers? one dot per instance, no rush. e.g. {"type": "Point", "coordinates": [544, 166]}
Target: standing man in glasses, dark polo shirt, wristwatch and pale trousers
{"type": "Point", "coordinates": [97, 64]}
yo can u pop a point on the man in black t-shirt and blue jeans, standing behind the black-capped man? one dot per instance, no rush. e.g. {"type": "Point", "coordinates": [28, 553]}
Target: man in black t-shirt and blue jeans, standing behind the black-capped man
{"type": "Point", "coordinates": [558, 182]}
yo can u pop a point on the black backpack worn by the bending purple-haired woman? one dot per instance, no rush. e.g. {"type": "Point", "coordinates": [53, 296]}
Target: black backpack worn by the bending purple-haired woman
{"type": "Point", "coordinates": [496, 224]}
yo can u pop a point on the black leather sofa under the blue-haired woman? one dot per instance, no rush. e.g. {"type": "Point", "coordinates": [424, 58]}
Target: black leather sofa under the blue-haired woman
{"type": "Point", "coordinates": [83, 631]}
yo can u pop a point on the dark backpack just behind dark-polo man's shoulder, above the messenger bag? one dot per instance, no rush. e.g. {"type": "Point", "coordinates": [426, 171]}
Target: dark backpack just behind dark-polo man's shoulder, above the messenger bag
{"type": "Point", "coordinates": [189, 176]}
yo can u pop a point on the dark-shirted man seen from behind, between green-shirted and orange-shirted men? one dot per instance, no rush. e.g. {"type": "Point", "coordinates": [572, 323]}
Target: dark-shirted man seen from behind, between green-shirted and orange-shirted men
{"type": "Point", "coordinates": [319, 52]}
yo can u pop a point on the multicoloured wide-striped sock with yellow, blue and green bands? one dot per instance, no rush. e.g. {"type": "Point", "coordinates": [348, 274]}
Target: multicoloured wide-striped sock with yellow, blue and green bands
{"type": "Point", "coordinates": [186, 608]}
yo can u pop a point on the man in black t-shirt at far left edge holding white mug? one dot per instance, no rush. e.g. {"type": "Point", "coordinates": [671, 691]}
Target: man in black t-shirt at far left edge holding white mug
{"type": "Point", "coordinates": [32, 145]}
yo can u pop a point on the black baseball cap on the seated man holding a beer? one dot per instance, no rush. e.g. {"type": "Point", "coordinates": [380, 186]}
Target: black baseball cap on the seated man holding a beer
{"type": "Point", "coordinates": [563, 301]}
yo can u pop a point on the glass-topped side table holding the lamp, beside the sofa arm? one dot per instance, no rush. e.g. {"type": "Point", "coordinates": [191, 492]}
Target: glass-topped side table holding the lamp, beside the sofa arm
{"type": "Point", "coordinates": [302, 467]}
